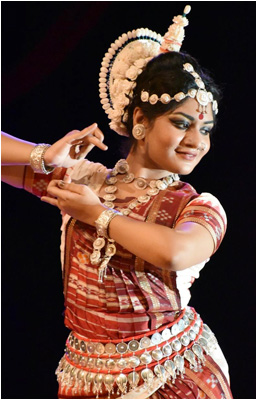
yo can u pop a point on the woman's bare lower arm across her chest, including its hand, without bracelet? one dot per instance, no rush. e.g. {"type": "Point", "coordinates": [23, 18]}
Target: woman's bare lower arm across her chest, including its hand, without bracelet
{"type": "Point", "coordinates": [172, 249]}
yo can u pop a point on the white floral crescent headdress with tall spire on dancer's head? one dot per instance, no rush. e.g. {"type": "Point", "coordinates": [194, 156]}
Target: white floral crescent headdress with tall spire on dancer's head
{"type": "Point", "coordinates": [124, 62]}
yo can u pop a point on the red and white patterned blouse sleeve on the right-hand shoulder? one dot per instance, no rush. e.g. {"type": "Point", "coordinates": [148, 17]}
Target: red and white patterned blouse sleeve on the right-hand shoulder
{"type": "Point", "coordinates": [207, 211]}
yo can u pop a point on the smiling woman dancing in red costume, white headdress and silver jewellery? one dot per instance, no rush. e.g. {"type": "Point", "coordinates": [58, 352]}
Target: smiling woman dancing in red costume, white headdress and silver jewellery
{"type": "Point", "coordinates": [135, 237]}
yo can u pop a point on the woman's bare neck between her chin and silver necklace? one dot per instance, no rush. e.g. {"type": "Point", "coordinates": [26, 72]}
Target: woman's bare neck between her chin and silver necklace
{"type": "Point", "coordinates": [138, 166]}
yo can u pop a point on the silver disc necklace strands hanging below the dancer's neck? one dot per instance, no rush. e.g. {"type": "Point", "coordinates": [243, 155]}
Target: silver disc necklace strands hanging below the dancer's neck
{"type": "Point", "coordinates": [155, 185]}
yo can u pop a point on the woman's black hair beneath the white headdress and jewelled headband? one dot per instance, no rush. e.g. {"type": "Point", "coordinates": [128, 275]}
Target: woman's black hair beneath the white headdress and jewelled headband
{"type": "Point", "coordinates": [165, 74]}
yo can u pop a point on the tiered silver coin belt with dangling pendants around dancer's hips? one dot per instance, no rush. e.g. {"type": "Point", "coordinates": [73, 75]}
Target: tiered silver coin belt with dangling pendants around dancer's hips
{"type": "Point", "coordinates": [117, 366]}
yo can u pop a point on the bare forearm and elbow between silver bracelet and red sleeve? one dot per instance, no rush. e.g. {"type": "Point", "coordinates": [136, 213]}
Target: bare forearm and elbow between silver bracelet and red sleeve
{"type": "Point", "coordinates": [172, 249]}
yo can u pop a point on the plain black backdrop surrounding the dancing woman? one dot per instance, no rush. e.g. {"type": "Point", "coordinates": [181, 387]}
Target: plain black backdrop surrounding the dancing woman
{"type": "Point", "coordinates": [51, 56]}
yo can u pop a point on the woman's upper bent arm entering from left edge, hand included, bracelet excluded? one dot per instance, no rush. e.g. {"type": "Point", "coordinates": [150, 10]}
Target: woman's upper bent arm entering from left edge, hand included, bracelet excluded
{"type": "Point", "coordinates": [66, 152]}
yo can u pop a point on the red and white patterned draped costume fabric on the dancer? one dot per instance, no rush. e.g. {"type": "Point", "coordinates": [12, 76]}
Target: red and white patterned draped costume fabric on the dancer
{"type": "Point", "coordinates": [136, 296]}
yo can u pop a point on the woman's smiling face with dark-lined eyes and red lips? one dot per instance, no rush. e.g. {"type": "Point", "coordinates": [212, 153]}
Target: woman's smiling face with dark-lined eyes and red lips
{"type": "Point", "coordinates": [177, 141]}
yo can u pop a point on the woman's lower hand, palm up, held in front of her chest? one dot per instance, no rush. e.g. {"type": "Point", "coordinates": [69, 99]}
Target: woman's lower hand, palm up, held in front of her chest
{"type": "Point", "coordinates": [78, 201]}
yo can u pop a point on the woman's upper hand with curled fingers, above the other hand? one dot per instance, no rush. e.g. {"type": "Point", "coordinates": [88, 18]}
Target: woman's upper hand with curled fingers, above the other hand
{"type": "Point", "coordinates": [74, 146]}
